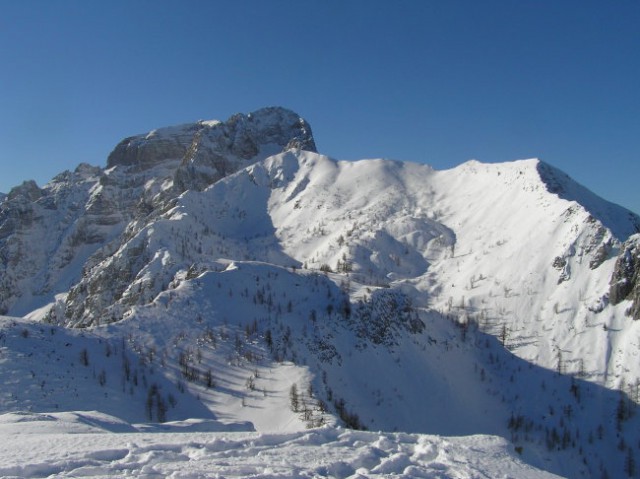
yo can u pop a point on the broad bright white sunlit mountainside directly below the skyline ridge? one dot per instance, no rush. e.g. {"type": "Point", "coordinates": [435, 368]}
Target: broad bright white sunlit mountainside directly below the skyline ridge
{"type": "Point", "coordinates": [488, 243]}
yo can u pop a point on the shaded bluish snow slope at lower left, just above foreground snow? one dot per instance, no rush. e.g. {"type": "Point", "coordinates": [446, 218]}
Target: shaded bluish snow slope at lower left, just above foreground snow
{"type": "Point", "coordinates": [45, 368]}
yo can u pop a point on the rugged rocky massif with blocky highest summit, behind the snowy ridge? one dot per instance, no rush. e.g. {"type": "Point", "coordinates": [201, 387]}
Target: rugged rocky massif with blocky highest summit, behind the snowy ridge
{"type": "Point", "coordinates": [49, 235]}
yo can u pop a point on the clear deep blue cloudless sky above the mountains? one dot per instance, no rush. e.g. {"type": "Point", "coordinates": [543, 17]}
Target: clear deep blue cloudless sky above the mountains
{"type": "Point", "coordinates": [438, 82]}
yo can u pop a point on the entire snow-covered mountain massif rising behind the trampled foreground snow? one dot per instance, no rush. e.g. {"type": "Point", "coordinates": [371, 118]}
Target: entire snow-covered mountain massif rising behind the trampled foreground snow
{"type": "Point", "coordinates": [235, 275]}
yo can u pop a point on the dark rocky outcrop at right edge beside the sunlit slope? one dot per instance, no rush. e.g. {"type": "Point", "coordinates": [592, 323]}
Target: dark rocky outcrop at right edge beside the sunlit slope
{"type": "Point", "coordinates": [625, 281]}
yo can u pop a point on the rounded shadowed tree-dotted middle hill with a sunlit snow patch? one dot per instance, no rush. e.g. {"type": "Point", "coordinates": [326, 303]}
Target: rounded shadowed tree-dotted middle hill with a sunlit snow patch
{"type": "Point", "coordinates": [232, 338]}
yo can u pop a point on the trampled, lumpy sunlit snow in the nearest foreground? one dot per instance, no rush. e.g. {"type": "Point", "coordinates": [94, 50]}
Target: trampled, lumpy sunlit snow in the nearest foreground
{"type": "Point", "coordinates": [33, 446]}
